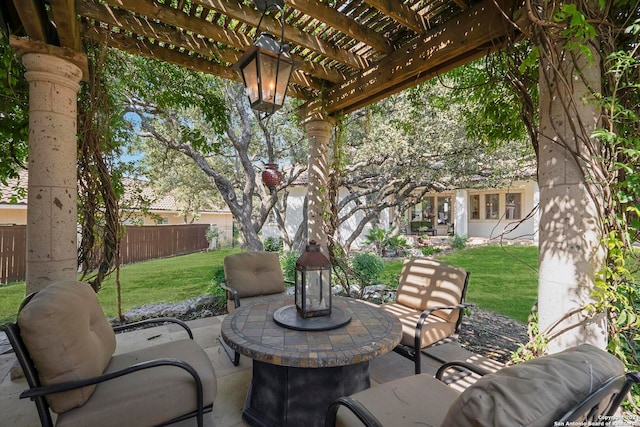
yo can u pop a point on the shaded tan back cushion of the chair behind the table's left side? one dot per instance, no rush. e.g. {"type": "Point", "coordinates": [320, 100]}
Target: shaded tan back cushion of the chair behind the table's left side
{"type": "Point", "coordinates": [254, 273]}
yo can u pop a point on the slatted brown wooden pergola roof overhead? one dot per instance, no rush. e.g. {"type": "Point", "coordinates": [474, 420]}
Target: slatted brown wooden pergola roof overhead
{"type": "Point", "coordinates": [354, 51]}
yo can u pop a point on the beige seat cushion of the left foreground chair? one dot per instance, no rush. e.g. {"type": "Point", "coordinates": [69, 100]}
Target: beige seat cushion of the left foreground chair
{"type": "Point", "coordinates": [150, 396]}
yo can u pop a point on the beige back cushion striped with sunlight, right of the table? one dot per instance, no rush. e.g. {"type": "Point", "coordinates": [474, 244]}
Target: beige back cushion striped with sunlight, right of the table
{"type": "Point", "coordinates": [426, 283]}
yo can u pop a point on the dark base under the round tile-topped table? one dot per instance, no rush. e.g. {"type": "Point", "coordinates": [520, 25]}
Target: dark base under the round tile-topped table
{"type": "Point", "coordinates": [291, 396]}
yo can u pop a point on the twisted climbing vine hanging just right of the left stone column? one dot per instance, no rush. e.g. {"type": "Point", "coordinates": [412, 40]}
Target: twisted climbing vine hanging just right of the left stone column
{"type": "Point", "coordinates": [99, 179]}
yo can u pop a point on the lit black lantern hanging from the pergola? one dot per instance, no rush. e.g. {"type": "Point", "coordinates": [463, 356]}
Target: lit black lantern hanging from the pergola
{"type": "Point", "coordinates": [266, 66]}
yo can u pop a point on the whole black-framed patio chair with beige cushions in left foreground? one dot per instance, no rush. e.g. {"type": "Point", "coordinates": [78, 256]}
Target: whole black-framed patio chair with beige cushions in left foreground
{"type": "Point", "coordinates": [65, 346]}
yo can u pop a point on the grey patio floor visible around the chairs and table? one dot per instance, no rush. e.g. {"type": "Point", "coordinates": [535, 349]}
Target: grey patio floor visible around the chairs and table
{"type": "Point", "coordinates": [233, 381]}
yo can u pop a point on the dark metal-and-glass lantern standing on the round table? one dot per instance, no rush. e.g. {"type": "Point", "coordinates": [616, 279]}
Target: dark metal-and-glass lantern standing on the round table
{"type": "Point", "coordinates": [313, 283]}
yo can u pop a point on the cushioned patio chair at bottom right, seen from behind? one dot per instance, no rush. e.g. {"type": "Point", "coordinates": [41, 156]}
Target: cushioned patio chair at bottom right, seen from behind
{"type": "Point", "coordinates": [580, 386]}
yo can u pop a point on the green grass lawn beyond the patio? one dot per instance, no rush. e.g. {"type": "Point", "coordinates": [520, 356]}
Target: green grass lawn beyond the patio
{"type": "Point", "coordinates": [502, 280]}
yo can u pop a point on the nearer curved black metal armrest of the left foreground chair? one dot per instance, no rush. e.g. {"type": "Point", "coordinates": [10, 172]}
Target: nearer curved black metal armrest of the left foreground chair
{"type": "Point", "coordinates": [72, 385]}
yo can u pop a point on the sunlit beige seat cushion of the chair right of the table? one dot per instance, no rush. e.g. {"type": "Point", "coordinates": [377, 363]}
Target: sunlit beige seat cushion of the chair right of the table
{"type": "Point", "coordinates": [434, 329]}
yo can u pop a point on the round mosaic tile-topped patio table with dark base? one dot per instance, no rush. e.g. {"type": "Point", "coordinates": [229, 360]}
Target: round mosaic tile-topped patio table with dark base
{"type": "Point", "coordinates": [297, 374]}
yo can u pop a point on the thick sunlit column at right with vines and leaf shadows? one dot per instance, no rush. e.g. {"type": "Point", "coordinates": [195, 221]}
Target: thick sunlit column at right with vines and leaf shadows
{"type": "Point", "coordinates": [571, 252]}
